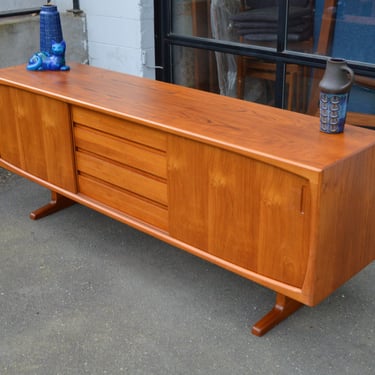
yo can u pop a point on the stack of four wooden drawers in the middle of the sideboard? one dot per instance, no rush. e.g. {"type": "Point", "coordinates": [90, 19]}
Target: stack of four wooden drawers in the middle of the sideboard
{"type": "Point", "coordinates": [122, 164]}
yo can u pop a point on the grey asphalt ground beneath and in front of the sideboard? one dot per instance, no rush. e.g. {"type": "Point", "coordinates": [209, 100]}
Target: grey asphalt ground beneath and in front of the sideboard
{"type": "Point", "coordinates": [83, 294]}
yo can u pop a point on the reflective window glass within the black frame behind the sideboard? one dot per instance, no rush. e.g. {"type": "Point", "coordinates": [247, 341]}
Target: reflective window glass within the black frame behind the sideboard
{"type": "Point", "coordinates": [332, 28]}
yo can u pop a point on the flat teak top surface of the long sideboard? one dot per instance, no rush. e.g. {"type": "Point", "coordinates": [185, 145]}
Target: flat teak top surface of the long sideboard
{"type": "Point", "coordinates": [263, 132]}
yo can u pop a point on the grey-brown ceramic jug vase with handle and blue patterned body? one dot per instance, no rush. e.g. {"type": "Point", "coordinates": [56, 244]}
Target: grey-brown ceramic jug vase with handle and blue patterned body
{"type": "Point", "coordinates": [334, 94]}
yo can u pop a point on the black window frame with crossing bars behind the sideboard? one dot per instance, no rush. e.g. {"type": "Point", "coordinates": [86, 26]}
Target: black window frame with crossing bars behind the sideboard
{"type": "Point", "coordinates": [165, 40]}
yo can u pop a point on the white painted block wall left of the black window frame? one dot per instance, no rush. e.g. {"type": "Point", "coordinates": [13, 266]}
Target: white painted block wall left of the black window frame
{"type": "Point", "coordinates": [118, 32]}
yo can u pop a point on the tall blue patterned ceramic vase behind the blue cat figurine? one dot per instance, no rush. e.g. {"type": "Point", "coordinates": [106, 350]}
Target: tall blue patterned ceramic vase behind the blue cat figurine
{"type": "Point", "coordinates": [50, 27]}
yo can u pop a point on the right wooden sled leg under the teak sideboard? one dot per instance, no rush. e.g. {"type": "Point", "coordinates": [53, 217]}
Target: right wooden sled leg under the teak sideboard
{"type": "Point", "coordinates": [284, 307]}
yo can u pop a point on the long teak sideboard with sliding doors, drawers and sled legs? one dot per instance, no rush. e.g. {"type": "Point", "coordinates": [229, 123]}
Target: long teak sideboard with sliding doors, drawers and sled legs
{"type": "Point", "coordinates": [254, 189]}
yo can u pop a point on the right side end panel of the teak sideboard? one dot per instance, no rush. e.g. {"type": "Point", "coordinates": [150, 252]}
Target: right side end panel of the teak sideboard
{"type": "Point", "coordinates": [347, 218]}
